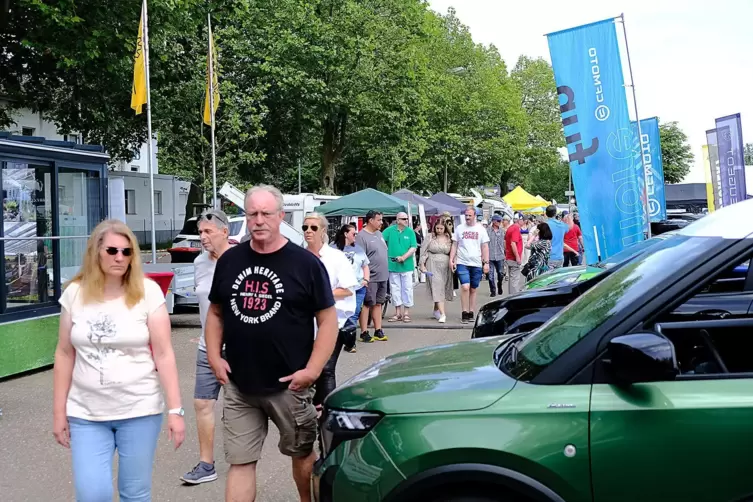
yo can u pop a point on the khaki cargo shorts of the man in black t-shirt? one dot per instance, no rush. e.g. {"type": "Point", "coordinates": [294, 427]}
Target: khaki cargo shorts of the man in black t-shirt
{"type": "Point", "coordinates": [245, 420]}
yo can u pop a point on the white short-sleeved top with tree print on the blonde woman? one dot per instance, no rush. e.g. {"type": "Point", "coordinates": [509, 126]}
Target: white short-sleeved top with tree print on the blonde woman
{"type": "Point", "coordinates": [114, 376]}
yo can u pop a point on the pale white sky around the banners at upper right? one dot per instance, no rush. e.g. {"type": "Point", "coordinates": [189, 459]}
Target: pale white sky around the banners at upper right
{"type": "Point", "coordinates": [692, 60]}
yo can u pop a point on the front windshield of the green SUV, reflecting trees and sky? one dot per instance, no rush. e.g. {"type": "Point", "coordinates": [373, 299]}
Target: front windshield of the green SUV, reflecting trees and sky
{"type": "Point", "coordinates": [598, 305]}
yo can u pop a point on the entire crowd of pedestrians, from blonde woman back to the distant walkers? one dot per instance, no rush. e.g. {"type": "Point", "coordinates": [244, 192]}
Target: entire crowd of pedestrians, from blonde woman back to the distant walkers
{"type": "Point", "coordinates": [271, 333]}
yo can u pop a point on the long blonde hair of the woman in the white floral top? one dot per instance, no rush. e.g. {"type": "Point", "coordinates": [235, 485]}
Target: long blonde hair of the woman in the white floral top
{"type": "Point", "coordinates": [90, 277]}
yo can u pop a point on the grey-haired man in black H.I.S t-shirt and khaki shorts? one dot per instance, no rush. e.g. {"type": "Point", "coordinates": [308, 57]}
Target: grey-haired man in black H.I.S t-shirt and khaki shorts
{"type": "Point", "coordinates": [265, 297]}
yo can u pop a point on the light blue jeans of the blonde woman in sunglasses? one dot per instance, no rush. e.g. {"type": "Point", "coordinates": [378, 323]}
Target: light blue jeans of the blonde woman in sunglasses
{"type": "Point", "coordinates": [92, 447]}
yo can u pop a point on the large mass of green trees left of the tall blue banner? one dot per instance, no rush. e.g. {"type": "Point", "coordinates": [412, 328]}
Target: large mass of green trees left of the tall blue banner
{"type": "Point", "coordinates": [379, 93]}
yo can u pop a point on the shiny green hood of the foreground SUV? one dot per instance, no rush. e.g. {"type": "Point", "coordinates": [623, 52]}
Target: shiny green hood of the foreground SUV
{"type": "Point", "coordinates": [454, 377]}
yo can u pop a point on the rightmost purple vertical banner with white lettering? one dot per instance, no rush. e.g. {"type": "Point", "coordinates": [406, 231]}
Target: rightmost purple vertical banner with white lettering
{"type": "Point", "coordinates": [731, 162]}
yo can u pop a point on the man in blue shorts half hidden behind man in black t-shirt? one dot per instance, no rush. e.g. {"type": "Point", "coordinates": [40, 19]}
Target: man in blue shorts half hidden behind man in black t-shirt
{"type": "Point", "coordinates": [213, 231]}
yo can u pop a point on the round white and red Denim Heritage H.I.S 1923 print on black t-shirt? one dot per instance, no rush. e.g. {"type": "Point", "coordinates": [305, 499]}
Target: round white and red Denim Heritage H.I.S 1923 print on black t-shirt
{"type": "Point", "coordinates": [258, 295]}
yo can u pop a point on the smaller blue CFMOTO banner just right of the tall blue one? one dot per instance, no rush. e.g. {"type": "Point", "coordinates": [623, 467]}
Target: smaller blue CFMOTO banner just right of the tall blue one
{"type": "Point", "coordinates": [651, 152]}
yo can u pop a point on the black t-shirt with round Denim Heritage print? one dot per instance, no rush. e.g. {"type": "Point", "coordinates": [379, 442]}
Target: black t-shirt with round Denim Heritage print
{"type": "Point", "coordinates": [268, 305]}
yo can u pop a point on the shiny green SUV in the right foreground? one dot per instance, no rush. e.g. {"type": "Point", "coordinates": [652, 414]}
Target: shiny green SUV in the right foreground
{"type": "Point", "coordinates": [614, 399]}
